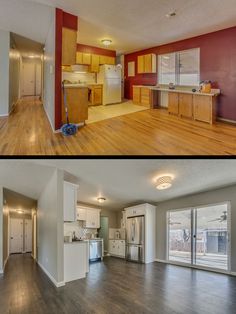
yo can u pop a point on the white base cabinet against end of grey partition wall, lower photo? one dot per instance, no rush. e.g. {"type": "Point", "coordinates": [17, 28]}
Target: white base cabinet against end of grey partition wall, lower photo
{"type": "Point", "coordinates": [76, 260]}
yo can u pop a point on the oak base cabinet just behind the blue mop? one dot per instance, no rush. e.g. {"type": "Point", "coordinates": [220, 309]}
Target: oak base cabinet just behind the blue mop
{"type": "Point", "coordinates": [77, 102]}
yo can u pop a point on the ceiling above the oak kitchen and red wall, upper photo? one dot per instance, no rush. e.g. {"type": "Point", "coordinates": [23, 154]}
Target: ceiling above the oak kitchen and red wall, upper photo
{"type": "Point", "coordinates": [138, 24]}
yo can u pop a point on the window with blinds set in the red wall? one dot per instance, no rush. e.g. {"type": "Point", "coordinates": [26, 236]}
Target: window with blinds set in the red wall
{"type": "Point", "coordinates": [180, 68]}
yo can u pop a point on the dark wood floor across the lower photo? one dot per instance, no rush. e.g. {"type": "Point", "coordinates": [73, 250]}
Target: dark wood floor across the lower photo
{"type": "Point", "coordinates": [117, 286]}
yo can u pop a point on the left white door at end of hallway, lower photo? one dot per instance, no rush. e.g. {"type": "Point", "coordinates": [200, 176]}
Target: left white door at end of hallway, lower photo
{"type": "Point", "coordinates": [16, 235]}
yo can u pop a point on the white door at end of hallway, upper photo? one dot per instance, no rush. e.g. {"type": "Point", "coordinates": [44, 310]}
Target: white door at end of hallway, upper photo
{"type": "Point", "coordinates": [29, 79]}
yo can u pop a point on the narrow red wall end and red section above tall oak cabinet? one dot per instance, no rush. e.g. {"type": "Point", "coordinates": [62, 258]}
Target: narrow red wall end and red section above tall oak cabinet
{"type": "Point", "coordinates": [63, 19]}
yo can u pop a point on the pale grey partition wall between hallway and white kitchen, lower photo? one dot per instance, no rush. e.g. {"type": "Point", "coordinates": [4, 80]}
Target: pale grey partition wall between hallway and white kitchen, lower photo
{"type": "Point", "coordinates": [50, 228]}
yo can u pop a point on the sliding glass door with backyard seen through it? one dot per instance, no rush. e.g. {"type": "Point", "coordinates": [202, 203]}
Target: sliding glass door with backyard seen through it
{"type": "Point", "coordinates": [200, 236]}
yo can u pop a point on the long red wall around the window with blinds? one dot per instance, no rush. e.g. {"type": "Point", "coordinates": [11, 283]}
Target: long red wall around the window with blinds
{"type": "Point", "coordinates": [218, 64]}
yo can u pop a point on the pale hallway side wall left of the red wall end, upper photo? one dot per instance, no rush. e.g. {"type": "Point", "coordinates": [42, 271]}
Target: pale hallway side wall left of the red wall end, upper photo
{"type": "Point", "coordinates": [49, 74]}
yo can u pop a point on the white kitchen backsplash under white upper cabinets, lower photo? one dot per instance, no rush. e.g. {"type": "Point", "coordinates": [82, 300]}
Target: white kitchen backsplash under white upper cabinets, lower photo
{"type": "Point", "coordinates": [80, 231]}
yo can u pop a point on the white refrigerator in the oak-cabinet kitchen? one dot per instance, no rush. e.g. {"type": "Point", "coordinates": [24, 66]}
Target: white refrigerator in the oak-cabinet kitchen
{"type": "Point", "coordinates": [110, 77]}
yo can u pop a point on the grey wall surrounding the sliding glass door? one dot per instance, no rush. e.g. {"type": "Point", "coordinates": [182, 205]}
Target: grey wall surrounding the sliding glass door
{"type": "Point", "coordinates": [211, 197]}
